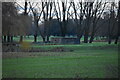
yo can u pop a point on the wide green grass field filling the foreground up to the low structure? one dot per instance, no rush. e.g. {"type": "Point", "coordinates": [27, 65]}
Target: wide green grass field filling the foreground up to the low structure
{"type": "Point", "coordinates": [96, 60]}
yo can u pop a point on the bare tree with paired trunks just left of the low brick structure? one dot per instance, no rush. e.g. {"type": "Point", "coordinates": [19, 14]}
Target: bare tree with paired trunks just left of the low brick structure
{"type": "Point", "coordinates": [47, 16]}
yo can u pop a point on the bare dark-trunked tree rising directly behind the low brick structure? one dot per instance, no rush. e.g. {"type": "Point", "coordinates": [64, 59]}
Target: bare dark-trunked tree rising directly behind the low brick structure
{"type": "Point", "coordinates": [61, 16]}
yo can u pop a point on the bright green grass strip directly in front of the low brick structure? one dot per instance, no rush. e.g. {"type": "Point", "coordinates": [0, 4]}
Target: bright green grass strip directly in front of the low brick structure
{"type": "Point", "coordinates": [82, 46]}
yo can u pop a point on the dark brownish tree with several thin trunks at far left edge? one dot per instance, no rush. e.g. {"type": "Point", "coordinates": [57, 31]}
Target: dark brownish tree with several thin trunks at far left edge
{"type": "Point", "coordinates": [9, 12]}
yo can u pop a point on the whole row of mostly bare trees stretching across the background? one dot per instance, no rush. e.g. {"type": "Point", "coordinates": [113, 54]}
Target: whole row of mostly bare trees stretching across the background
{"type": "Point", "coordinates": [88, 19]}
